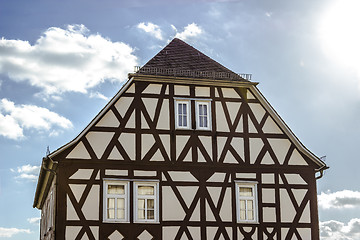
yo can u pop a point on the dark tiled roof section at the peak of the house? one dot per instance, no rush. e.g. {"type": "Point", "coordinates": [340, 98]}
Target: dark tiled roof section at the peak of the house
{"type": "Point", "coordinates": [180, 59]}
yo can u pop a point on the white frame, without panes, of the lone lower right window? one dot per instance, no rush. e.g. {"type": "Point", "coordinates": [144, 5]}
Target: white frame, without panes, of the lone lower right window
{"type": "Point", "coordinates": [254, 198]}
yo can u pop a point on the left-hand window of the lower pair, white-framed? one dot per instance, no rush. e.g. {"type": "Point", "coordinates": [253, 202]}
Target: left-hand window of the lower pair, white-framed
{"type": "Point", "coordinates": [116, 201]}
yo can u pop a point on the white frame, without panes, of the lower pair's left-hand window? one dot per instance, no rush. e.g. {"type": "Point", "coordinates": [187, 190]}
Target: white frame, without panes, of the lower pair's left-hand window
{"type": "Point", "coordinates": [125, 196]}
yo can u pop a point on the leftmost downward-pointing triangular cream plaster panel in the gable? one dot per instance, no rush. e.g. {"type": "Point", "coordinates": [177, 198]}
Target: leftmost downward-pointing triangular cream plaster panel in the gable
{"type": "Point", "coordinates": [99, 141]}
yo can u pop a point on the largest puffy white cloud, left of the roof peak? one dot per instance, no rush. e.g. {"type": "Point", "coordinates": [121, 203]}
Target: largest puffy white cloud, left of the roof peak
{"type": "Point", "coordinates": [66, 60]}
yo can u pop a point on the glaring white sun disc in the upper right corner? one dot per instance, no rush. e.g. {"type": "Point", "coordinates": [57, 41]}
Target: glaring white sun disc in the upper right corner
{"type": "Point", "coordinates": [340, 32]}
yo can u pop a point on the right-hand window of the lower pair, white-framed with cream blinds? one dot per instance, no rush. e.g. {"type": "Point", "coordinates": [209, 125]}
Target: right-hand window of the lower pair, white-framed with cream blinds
{"type": "Point", "coordinates": [146, 202]}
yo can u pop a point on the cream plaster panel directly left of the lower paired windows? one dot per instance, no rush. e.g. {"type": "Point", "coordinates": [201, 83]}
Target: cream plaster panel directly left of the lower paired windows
{"type": "Point", "coordinates": [91, 204]}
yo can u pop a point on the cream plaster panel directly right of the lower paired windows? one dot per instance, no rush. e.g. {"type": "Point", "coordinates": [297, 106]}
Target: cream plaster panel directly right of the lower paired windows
{"type": "Point", "coordinates": [172, 209]}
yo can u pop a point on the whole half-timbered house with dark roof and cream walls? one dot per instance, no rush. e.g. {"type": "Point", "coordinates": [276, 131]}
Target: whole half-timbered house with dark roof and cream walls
{"type": "Point", "coordinates": [187, 149]}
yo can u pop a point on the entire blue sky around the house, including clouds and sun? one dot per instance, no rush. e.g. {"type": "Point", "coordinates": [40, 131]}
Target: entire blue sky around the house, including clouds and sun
{"type": "Point", "coordinates": [61, 61]}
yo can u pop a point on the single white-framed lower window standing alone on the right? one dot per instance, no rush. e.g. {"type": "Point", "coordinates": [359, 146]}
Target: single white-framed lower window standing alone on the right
{"type": "Point", "coordinates": [246, 196]}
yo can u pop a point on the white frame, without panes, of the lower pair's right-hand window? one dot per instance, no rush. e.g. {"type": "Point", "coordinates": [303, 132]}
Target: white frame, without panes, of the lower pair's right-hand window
{"type": "Point", "coordinates": [155, 184]}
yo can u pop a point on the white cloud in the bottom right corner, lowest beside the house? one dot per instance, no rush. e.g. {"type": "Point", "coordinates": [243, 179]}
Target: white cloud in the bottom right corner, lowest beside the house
{"type": "Point", "coordinates": [335, 230]}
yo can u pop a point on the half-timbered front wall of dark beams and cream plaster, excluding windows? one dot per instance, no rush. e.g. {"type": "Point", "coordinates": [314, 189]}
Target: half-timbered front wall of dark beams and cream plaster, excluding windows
{"type": "Point", "coordinates": [196, 170]}
